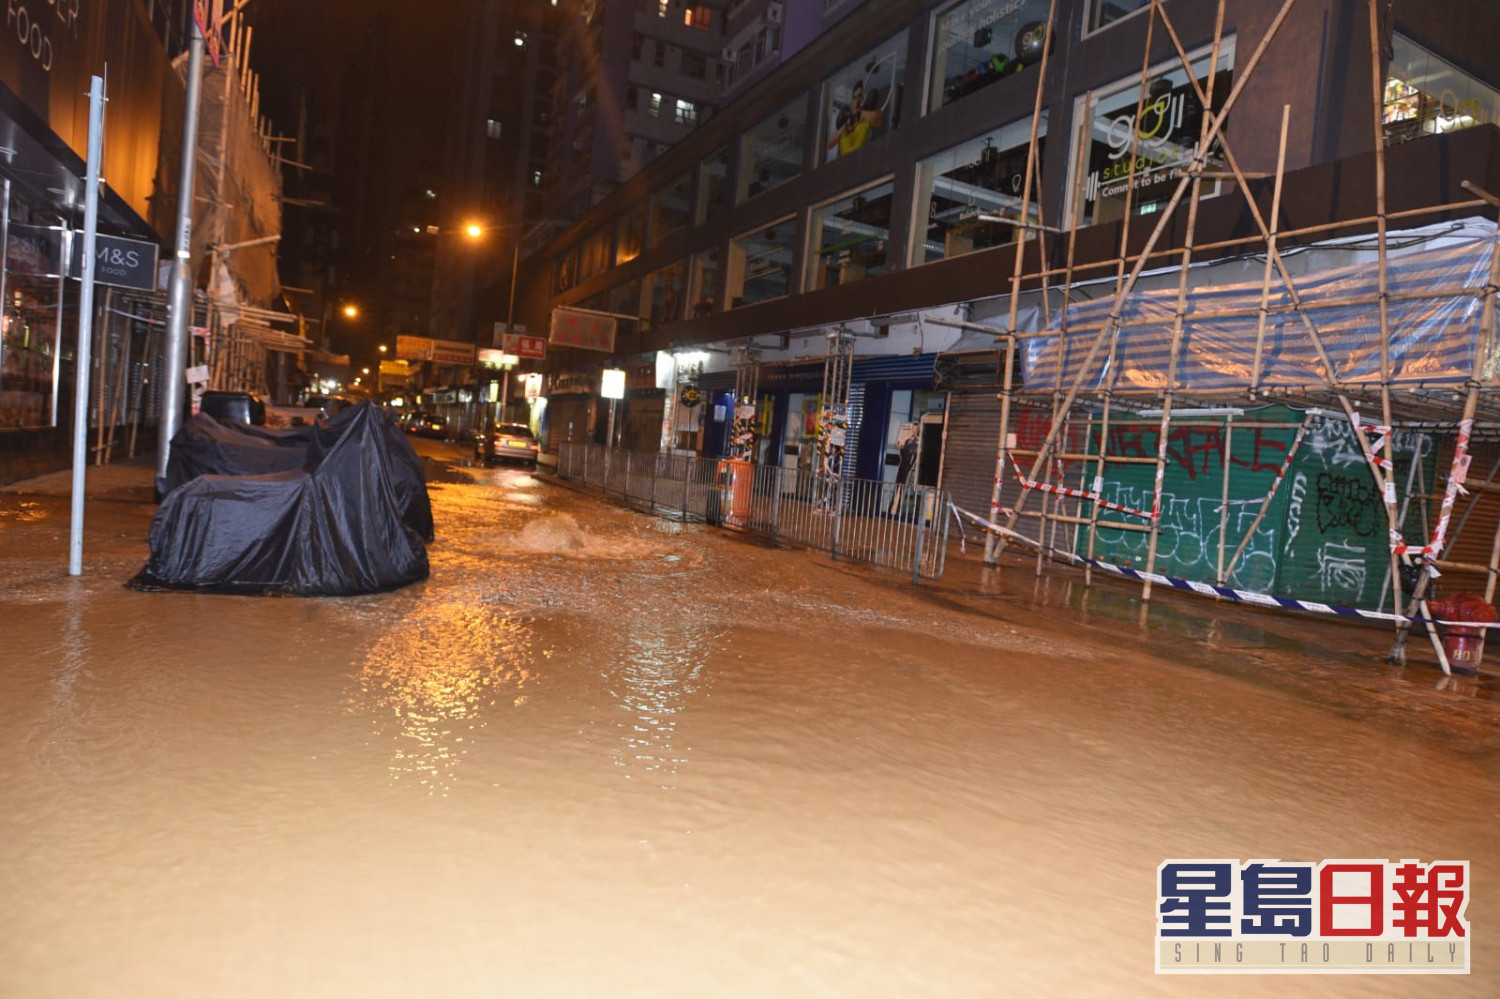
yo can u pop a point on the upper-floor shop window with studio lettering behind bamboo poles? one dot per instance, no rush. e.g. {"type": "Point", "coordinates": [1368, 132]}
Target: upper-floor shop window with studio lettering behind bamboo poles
{"type": "Point", "coordinates": [1165, 140]}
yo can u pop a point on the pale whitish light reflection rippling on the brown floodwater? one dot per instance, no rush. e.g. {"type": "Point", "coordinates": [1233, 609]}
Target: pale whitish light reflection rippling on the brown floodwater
{"type": "Point", "coordinates": [656, 676]}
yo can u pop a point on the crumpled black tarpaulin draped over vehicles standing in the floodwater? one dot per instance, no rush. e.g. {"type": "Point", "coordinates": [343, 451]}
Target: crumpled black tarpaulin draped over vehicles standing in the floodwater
{"type": "Point", "coordinates": [335, 524]}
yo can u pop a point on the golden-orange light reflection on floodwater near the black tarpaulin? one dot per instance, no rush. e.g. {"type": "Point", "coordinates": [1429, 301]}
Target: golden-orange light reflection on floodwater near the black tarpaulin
{"type": "Point", "coordinates": [436, 679]}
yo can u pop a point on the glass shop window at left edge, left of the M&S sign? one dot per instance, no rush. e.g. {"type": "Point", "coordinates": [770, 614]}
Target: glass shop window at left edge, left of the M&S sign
{"type": "Point", "coordinates": [31, 329]}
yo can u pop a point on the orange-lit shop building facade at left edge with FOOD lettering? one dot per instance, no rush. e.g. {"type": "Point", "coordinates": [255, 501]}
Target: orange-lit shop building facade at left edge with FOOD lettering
{"type": "Point", "coordinates": [49, 53]}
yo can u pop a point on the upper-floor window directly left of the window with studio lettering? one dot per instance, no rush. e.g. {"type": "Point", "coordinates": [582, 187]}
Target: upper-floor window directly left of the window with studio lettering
{"type": "Point", "coordinates": [968, 196]}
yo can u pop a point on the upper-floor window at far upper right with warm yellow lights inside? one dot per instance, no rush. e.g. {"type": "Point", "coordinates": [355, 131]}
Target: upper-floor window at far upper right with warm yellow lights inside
{"type": "Point", "coordinates": [1429, 97]}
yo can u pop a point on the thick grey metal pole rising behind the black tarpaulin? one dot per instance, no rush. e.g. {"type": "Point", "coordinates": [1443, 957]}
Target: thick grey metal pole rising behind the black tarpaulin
{"type": "Point", "coordinates": [179, 292]}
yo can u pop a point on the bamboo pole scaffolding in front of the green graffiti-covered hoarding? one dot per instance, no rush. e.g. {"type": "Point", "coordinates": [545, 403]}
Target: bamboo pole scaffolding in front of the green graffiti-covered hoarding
{"type": "Point", "coordinates": [1423, 403]}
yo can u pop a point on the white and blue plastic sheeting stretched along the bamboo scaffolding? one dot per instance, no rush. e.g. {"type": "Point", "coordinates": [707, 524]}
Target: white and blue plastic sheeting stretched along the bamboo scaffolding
{"type": "Point", "coordinates": [1436, 286]}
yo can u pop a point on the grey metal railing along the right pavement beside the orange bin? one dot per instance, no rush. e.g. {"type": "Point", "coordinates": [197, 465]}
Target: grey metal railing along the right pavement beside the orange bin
{"type": "Point", "coordinates": [895, 526]}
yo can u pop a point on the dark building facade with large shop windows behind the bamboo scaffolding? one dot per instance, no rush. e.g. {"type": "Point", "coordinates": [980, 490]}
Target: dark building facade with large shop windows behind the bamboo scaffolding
{"type": "Point", "coordinates": [869, 196]}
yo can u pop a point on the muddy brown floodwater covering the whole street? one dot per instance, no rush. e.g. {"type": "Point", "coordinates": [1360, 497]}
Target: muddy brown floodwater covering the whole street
{"type": "Point", "coordinates": [608, 755]}
